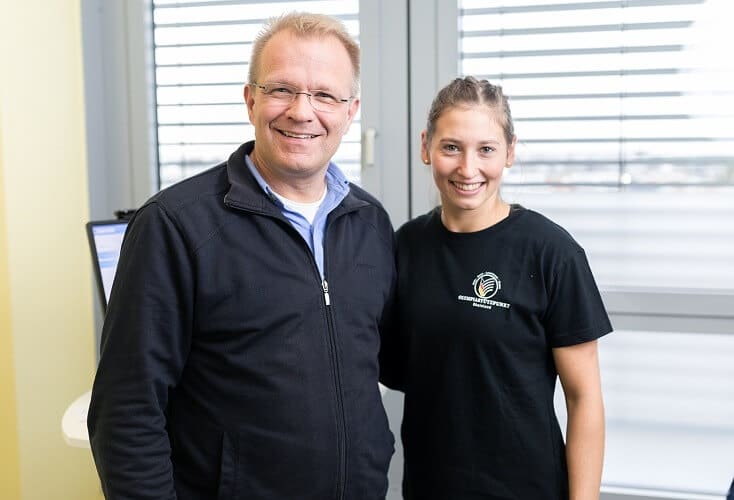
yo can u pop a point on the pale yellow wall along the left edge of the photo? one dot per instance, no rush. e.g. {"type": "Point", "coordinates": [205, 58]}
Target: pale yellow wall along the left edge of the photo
{"type": "Point", "coordinates": [47, 339]}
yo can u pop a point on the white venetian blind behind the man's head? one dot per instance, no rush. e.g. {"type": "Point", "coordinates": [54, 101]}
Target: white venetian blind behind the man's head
{"type": "Point", "coordinates": [202, 51]}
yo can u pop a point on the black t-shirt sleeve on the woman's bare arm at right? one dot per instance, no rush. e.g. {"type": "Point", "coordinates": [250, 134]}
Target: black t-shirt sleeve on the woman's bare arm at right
{"type": "Point", "coordinates": [575, 313]}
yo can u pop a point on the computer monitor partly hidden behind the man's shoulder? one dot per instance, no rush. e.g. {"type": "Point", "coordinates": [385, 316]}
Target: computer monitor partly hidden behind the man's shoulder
{"type": "Point", "coordinates": [105, 241]}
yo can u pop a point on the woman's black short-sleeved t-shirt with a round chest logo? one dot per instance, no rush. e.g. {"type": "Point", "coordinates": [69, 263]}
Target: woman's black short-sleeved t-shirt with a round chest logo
{"type": "Point", "coordinates": [478, 315]}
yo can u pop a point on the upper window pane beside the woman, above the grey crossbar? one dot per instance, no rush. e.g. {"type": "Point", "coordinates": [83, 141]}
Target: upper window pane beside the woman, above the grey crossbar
{"type": "Point", "coordinates": [624, 112]}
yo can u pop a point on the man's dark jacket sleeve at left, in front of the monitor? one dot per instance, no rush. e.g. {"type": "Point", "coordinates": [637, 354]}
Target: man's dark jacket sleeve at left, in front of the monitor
{"type": "Point", "coordinates": [145, 341]}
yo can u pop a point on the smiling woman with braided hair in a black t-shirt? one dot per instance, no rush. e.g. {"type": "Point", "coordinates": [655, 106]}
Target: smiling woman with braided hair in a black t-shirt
{"type": "Point", "coordinates": [495, 302]}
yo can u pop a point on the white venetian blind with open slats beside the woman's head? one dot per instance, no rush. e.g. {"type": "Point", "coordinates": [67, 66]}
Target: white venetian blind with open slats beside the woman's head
{"type": "Point", "coordinates": [611, 93]}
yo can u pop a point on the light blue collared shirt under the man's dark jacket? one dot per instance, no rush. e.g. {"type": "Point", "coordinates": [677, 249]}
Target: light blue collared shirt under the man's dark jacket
{"type": "Point", "coordinates": [337, 188]}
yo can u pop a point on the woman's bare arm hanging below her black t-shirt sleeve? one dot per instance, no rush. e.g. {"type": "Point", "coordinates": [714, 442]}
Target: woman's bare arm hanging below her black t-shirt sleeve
{"type": "Point", "coordinates": [578, 370]}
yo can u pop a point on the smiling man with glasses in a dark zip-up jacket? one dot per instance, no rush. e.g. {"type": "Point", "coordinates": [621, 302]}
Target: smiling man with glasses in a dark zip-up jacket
{"type": "Point", "coordinates": [239, 351]}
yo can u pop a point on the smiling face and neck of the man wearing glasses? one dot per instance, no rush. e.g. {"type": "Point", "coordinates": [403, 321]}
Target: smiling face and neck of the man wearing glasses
{"type": "Point", "coordinates": [293, 142]}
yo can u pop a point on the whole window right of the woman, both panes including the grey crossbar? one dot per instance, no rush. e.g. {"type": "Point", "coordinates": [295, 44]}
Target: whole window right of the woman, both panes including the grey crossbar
{"type": "Point", "coordinates": [624, 112]}
